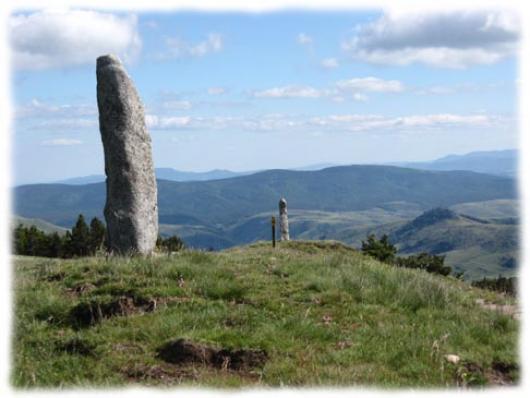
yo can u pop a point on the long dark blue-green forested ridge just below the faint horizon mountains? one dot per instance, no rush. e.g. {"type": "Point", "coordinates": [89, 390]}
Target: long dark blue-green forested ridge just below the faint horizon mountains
{"type": "Point", "coordinates": [225, 202]}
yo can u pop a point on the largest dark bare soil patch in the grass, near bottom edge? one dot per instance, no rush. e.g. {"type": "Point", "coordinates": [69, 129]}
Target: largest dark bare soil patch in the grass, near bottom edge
{"type": "Point", "coordinates": [183, 351]}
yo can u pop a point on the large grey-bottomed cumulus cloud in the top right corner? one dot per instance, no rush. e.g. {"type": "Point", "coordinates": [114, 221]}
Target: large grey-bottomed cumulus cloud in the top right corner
{"type": "Point", "coordinates": [453, 39]}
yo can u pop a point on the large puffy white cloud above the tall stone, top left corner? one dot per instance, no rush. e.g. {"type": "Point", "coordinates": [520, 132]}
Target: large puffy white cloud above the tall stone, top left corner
{"type": "Point", "coordinates": [56, 39]}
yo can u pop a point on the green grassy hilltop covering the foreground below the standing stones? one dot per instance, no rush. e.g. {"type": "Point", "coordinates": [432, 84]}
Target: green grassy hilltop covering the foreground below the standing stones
{"type": "Point", "coordinates": [325, 314]}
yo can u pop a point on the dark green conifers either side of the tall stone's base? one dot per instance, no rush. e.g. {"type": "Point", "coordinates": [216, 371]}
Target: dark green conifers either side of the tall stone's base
{"type": "Point", "coordinates": [81, 241]}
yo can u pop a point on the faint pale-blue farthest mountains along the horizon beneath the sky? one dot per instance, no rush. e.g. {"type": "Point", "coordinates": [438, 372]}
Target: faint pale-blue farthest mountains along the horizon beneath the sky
{"type": "Point", "coordinates": [503, 163]}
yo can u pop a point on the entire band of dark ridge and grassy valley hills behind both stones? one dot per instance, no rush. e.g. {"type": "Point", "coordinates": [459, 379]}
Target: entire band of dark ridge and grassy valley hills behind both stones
{"type": "Point", "coordinates": [344, 203]}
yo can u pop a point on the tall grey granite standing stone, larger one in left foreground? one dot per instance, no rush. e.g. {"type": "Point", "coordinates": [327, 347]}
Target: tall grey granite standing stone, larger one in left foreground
{"type": "Point", "coordinates": [131, 209]}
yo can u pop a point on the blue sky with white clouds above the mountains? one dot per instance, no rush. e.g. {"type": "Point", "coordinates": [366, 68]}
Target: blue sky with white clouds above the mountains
{"type": "Point", "coordinates": [272, 90]}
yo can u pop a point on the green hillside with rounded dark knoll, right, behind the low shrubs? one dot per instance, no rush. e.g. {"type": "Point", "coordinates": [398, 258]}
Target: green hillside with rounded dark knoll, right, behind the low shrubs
{"type": "Point", "coordinates": [478, 247]}
